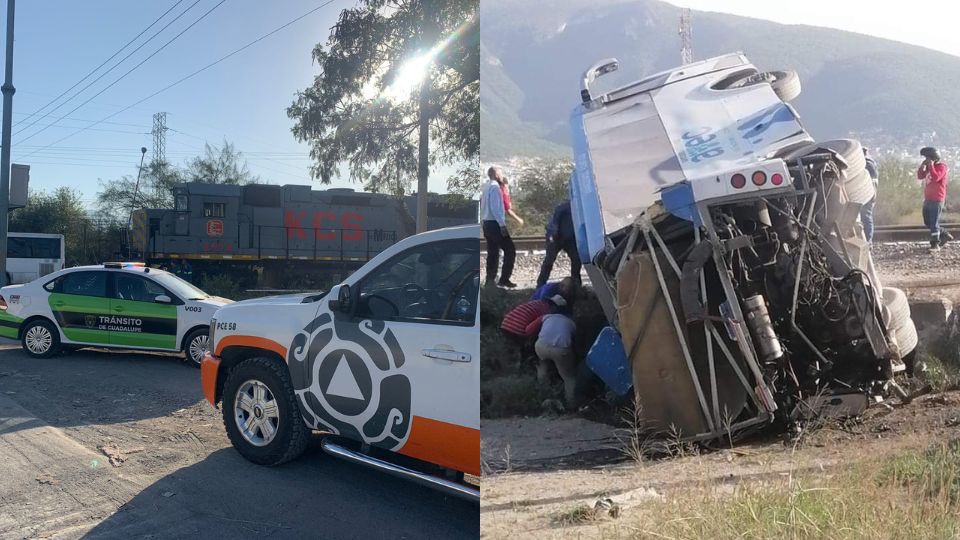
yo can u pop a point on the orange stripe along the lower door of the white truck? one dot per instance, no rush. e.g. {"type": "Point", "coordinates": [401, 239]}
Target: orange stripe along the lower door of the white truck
{"type": "Point", "coordinates": [449, 445]}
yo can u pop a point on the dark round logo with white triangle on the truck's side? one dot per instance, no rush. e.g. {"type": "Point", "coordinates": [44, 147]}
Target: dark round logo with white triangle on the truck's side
{"type": "Point", "coordinates": [348, 379]}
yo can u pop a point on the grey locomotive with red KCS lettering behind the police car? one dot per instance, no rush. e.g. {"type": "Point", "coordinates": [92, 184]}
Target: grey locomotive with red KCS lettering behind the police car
{"type": "Point", "coordinates": [286, 236]}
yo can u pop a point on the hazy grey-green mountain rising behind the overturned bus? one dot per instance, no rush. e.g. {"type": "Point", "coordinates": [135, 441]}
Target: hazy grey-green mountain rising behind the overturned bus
{"type": "Point", "coordinates": [533, 53]}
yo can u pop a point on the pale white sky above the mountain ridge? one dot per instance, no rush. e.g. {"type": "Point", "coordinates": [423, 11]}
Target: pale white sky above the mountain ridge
{"type": "Point", "coordinates": [918, 22]}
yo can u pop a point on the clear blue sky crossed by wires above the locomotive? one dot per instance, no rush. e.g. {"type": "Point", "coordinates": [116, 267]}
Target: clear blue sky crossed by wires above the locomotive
{"type": "Point", "coordinates": [242, 99]}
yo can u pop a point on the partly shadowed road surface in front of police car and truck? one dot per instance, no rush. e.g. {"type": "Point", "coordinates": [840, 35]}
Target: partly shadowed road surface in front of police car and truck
{"type": "Point", "coordinates": [174, 473]}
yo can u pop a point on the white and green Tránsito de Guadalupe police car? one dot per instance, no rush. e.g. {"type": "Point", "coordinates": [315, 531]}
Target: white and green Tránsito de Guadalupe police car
{"type": "Point", "coordinates": [117, 305]}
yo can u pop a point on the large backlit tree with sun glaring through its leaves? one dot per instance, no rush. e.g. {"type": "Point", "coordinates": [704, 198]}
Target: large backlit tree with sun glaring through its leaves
{"type": "Point", "coordinates": [396, 76]}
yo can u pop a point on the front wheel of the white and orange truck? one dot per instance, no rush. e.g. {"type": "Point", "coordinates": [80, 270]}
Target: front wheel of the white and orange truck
{"type": "Point", "coordinates": [291, 434]}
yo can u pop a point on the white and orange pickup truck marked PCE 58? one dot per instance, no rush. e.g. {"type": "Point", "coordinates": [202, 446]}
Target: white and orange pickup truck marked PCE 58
{"type": "Point", "coordinates": [387, 364]}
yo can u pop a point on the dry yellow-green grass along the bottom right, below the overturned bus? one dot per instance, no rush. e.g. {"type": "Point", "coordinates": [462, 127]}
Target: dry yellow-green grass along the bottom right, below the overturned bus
{"type": "Point", "coordinates": [912, 495]}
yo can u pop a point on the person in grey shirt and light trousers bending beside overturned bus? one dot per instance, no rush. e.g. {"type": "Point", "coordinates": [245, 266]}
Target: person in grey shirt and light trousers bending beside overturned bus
{"type": "Point", "coordinates": [555, 345]}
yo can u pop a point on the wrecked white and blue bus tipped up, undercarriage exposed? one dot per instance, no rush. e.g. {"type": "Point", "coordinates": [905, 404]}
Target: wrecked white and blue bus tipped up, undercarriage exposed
{"type": "Point", "coordinates": [725, 246]}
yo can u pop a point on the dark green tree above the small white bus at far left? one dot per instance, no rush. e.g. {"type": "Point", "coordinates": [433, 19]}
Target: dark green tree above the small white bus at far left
{"type": "Point", "coordinates": [60, 212]}
